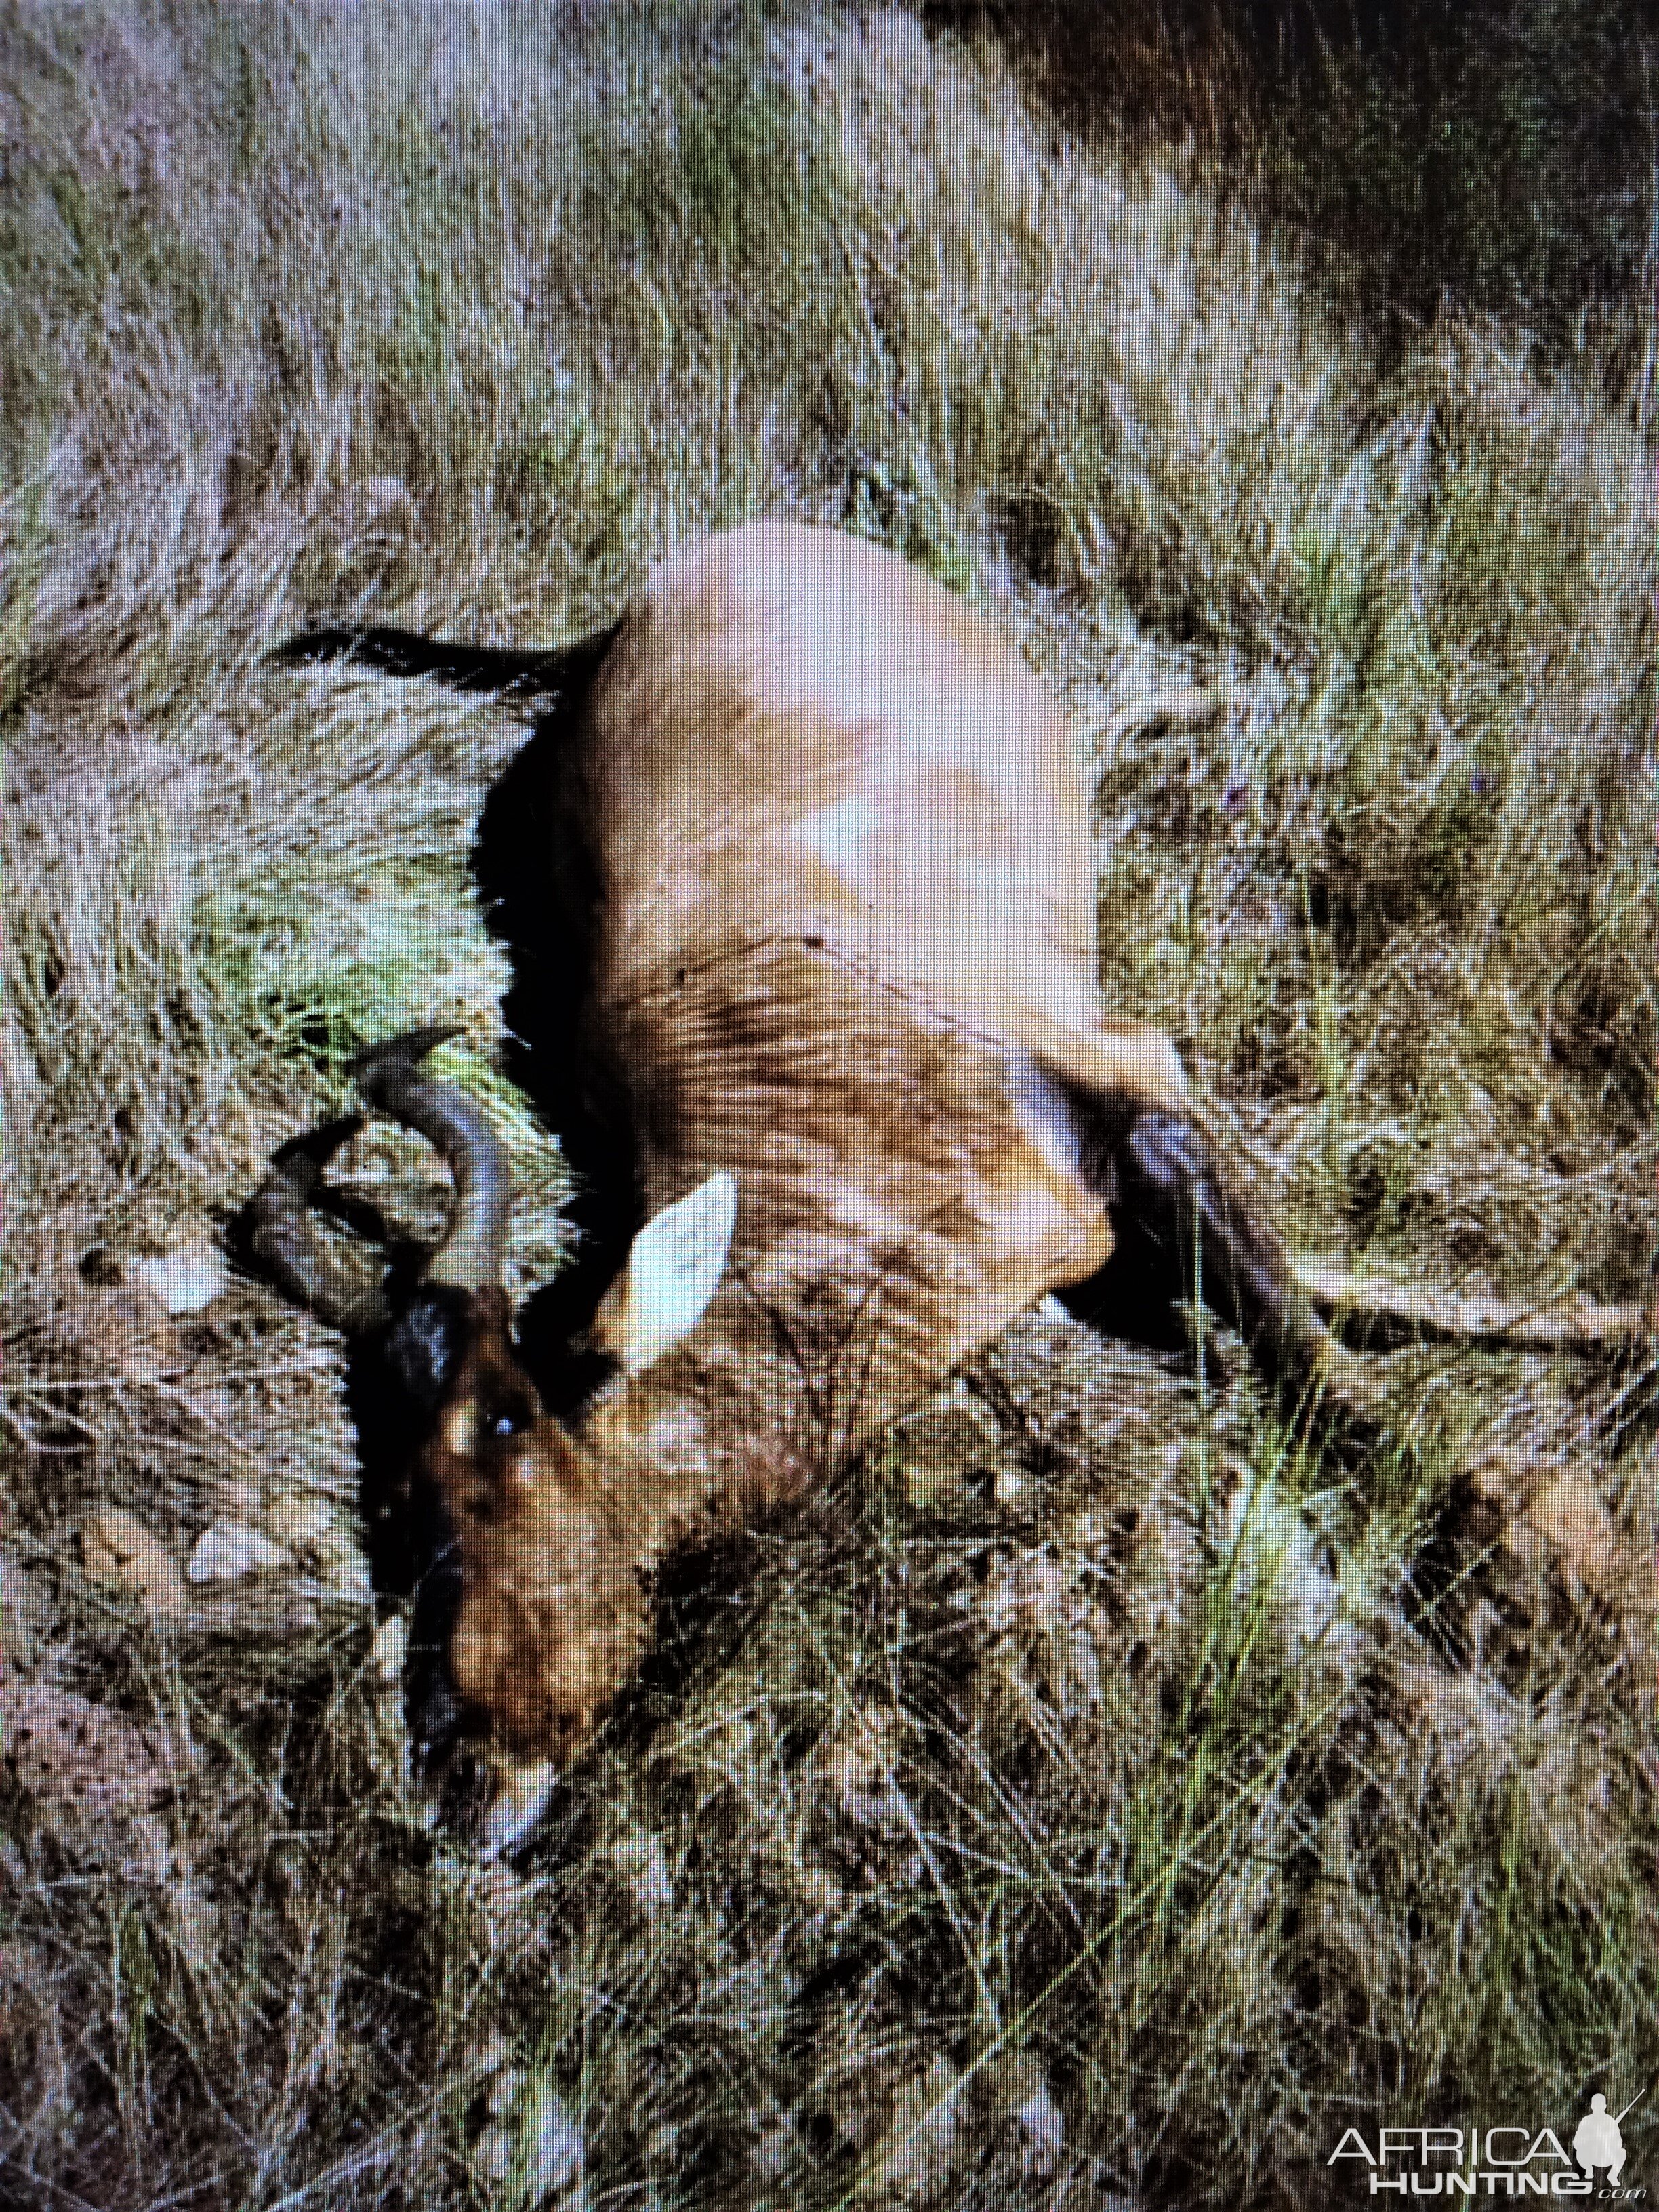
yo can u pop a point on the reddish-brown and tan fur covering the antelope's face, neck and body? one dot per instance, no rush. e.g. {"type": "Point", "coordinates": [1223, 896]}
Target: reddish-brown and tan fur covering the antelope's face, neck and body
{"type": "Point", "coordinates": [846, 952]}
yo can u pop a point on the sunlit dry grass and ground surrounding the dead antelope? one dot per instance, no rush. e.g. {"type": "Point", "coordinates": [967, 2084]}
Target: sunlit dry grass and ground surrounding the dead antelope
{"type": "Point", "coordinates": [1092, 1804]}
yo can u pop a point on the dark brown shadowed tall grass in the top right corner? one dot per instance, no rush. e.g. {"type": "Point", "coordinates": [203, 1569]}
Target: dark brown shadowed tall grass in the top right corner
{"type": "Point", "coordinates": [1499, 154]}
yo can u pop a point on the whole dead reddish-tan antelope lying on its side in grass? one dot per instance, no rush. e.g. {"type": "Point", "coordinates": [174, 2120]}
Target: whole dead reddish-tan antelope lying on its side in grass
{"type": "Point", "coordinates": [811, 873]}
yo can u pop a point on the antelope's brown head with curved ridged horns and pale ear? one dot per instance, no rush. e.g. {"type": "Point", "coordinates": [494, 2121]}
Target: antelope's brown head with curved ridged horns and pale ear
{"type": "Point", "coordinates": [550, 1527]}
